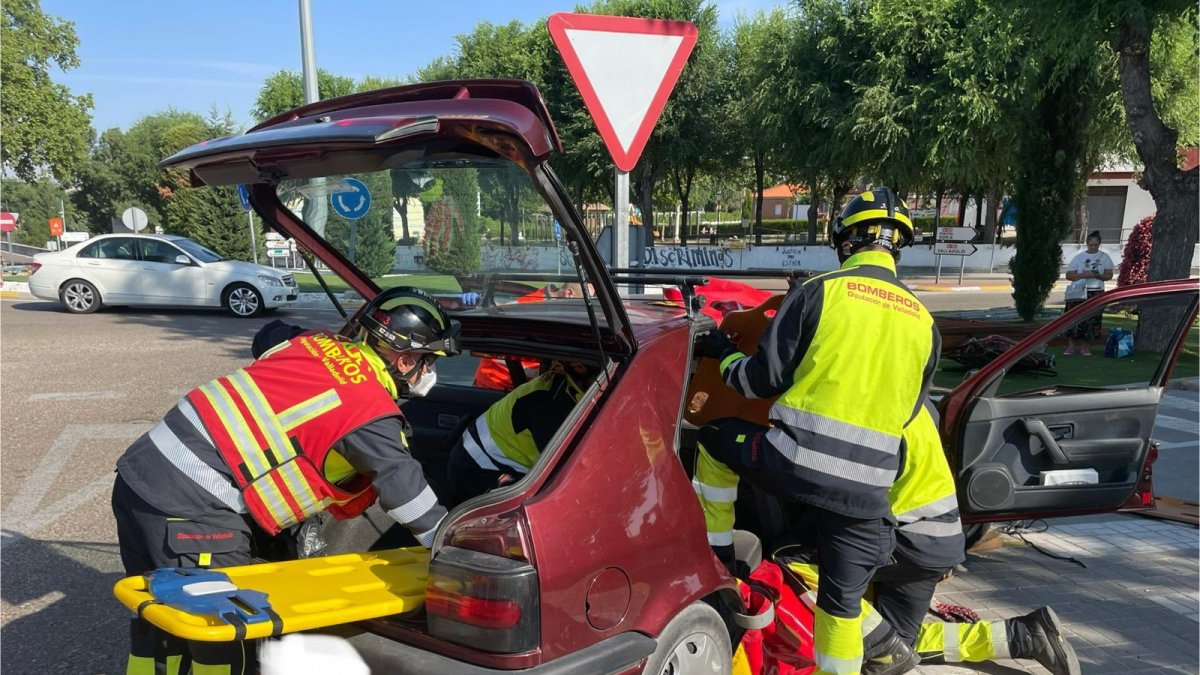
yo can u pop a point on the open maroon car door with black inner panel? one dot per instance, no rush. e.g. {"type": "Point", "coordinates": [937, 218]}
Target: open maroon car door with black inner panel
{"type": "Point", "coordinates": [1031, 444]}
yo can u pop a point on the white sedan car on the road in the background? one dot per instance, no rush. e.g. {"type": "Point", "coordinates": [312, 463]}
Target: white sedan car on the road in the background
{"type": "Point", "coordinates": [157, 270]}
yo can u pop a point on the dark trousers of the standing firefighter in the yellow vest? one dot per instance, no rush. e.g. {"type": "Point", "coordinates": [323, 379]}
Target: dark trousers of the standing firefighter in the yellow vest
{"type": "Point", "coordinates": [850, 549]}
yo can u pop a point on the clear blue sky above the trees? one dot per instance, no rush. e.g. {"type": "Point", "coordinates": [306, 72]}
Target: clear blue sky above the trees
{"type": "Point", "coordinates": [141, 57]}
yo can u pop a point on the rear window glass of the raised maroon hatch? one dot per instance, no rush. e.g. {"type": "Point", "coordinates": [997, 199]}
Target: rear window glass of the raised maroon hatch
{"type": "Point", "coordinates": [472, 231]}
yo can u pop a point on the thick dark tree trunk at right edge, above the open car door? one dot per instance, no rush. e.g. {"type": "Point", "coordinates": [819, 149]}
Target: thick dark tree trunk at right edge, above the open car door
{"type": "Point", "coordinates": [1175, 192]}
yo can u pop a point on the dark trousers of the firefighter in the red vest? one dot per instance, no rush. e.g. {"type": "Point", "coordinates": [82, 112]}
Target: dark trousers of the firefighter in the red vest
{"type": "Point", "coordinates": [151, 540]}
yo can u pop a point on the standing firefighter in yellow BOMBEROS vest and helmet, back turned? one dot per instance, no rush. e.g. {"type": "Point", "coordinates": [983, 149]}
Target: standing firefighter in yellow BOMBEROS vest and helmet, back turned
{"type": "Point", "coordinates": [850, 356]}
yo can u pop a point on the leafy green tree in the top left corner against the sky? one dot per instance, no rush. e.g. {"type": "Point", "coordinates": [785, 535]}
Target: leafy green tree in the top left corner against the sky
{"type": "Point", "coordinates": [46, 128]}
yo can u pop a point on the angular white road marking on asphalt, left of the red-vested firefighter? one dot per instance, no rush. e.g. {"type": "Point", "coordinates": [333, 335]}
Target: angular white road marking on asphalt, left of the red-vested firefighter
{"type": "Point", "coordinates": [26, 512]}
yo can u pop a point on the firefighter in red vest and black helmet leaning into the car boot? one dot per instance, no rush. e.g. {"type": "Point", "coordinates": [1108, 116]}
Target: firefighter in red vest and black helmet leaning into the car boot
{"type": "Point", "coordinates": [311, 426]}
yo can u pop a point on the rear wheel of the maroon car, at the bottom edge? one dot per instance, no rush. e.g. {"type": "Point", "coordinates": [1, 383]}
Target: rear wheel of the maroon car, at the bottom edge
{"type": "Point", "coordinates": [695, 642]}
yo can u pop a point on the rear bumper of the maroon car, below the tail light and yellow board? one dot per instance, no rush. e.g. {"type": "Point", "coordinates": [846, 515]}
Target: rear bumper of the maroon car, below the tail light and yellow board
{"type": "Point", "coordinates": [626, 653]}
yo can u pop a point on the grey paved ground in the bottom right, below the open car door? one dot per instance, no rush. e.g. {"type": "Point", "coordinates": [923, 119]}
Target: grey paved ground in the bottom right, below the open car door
{"type": "Point", "coordinates": [1135, 610]}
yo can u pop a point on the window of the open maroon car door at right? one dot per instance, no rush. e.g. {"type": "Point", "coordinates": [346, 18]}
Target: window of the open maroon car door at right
{"type": "Point", "coordinates": [1129, 343]}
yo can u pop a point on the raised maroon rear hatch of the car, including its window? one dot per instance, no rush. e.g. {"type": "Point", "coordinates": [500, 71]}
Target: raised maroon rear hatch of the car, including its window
{"type": "Point", "coordinates": [443, 187]}
